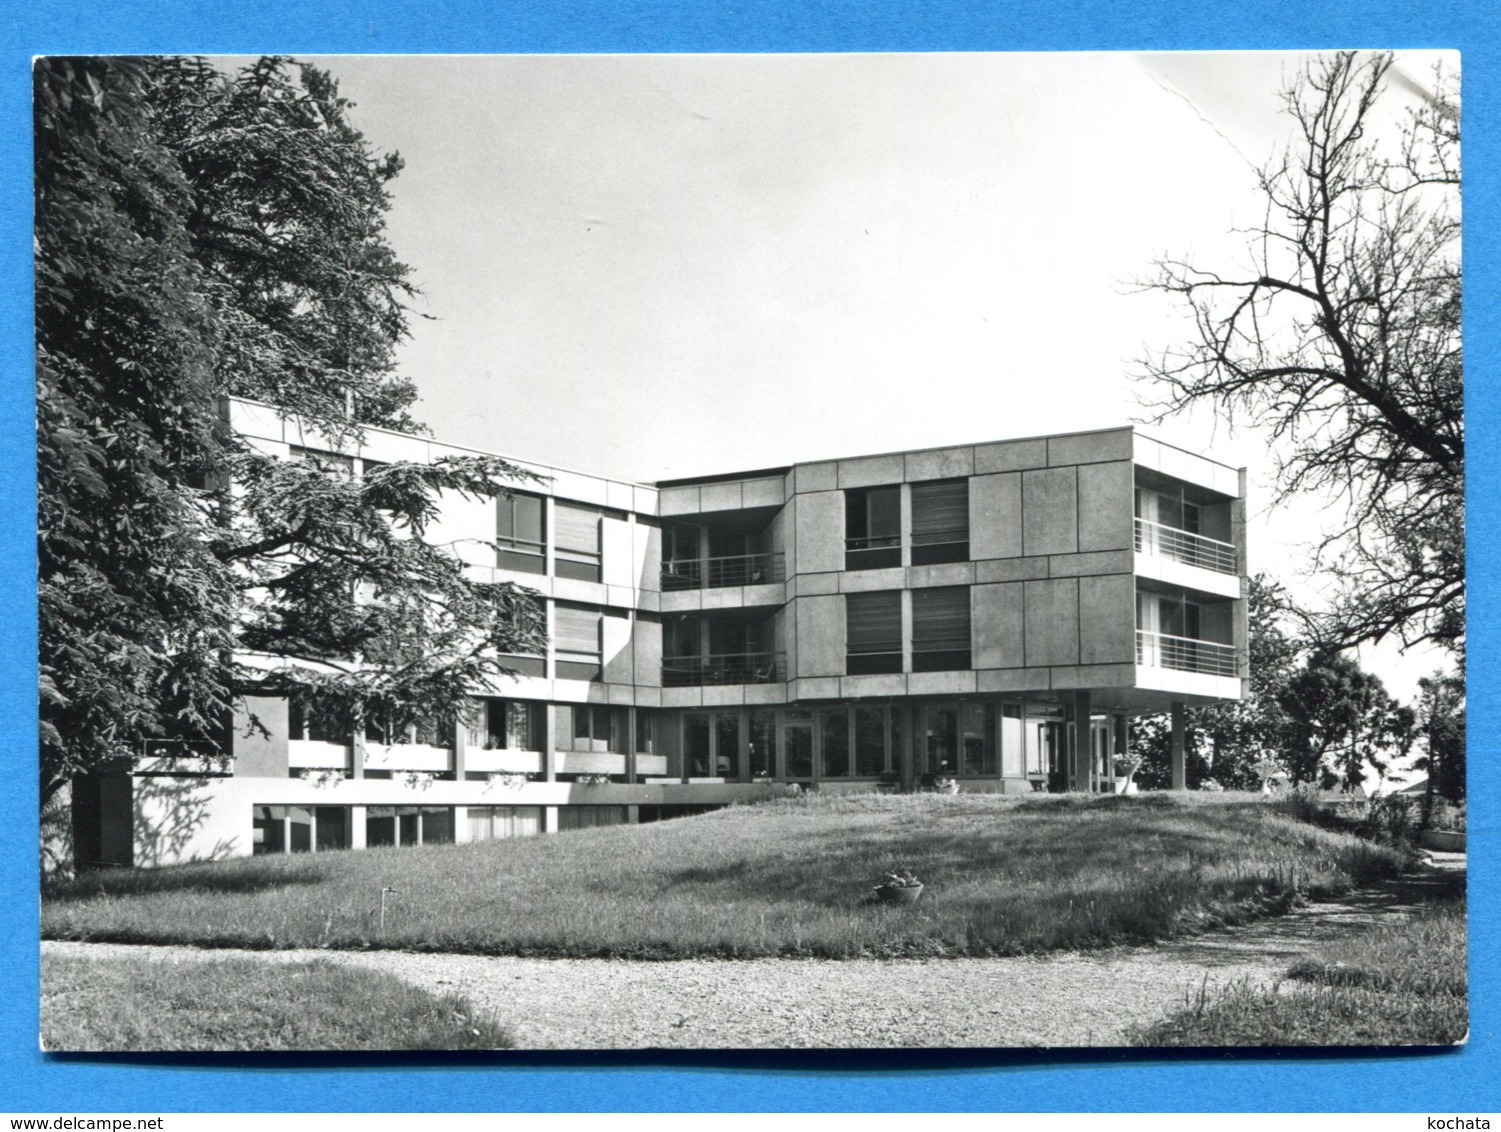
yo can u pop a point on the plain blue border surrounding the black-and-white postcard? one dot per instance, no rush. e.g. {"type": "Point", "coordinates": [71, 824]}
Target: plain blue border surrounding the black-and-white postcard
{"type": "Point", "coordinates": [1107, 1082]}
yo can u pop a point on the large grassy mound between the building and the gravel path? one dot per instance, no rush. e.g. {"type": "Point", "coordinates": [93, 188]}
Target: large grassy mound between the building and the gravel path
{"type": "Point", "coordinates": [1003, 878]}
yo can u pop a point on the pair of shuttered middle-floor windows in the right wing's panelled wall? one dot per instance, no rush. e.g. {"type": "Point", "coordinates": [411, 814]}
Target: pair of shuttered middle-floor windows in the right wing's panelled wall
{"type": "Point", "coordinates": [940, 631]}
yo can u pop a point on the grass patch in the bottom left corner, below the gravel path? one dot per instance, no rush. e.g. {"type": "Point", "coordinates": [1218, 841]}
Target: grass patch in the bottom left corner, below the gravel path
{"type": "Point", "coordinates": [200, 1005]}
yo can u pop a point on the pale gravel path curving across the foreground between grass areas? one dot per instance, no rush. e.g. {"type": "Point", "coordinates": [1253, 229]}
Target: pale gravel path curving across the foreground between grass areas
{"type": "Point", "coordinates": [1071, 999]}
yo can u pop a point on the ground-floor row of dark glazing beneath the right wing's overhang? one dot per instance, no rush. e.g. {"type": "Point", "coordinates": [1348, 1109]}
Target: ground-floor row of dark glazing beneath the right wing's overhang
{"type": "Point", "coordinates": [859, 741]}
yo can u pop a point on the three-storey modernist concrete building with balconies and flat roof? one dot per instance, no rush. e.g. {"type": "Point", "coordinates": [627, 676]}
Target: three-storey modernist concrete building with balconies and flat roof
{"type": "Point", "coordinates": [991, 613]}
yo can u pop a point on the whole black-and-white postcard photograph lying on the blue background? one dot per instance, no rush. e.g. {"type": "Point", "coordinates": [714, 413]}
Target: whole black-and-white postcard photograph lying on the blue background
{"type": "Point", "coordinates": [751, 552]}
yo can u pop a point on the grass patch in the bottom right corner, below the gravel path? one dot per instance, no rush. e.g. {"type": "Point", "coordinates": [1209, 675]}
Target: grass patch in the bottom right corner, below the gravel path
{"type": "Point", "coordinates": [1400, 984]}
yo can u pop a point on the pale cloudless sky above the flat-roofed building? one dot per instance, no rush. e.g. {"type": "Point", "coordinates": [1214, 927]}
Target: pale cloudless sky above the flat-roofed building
{"type": "Point", "coordinates": [660, 266]}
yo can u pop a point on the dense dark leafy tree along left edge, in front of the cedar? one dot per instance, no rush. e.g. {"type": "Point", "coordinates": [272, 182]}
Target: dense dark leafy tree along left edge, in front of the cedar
{"type": "Point", "coordinates": [133, 607]}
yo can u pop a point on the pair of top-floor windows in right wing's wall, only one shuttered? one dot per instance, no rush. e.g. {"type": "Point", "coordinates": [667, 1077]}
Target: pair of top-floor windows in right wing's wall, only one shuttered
{"type": "Point", "coordinates": [940, 525]}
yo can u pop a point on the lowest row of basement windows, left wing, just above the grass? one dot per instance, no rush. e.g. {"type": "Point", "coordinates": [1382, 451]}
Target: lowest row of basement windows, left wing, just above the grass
{"type": "Point", "coordinates": [319, 829]}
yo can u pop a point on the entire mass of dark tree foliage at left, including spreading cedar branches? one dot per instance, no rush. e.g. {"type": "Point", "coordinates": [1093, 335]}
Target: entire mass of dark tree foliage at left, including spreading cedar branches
{"type": "Point", "coordinates": [199, 236]}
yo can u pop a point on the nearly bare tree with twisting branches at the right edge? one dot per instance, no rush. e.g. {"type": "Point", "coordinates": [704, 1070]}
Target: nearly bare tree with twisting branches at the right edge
{"type": "Point", "coordinates": [1343, 345]}
